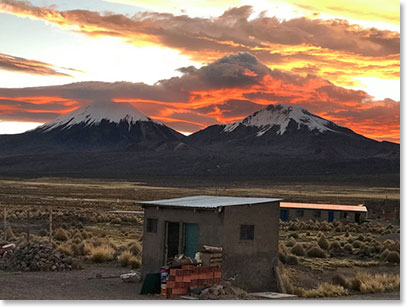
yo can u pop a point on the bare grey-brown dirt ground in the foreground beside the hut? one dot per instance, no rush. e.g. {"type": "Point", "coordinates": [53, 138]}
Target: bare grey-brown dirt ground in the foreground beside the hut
{"type": "Point", "coordinates": [83, 285]}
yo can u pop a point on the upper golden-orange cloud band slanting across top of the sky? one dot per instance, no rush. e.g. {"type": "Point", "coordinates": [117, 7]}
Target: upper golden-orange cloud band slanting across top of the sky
{"type": "Point", "coordinates": [341, 51]}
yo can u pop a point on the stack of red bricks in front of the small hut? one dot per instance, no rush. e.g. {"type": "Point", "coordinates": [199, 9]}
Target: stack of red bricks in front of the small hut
{"type": "Point", "coordinates": [190, 276]}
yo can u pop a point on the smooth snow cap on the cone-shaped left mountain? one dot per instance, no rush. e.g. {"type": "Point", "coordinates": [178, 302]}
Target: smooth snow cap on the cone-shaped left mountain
{"type": "Point", "coordinates": [95, 112]}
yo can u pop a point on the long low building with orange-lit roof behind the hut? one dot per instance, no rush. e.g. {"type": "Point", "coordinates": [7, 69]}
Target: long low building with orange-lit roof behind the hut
{"type": "Point", "coordinates": [322, 212]}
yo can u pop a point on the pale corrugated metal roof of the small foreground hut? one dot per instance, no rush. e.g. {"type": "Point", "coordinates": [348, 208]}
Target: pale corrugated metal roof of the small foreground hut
{"type": "Point", "coordinates": [209, 202]}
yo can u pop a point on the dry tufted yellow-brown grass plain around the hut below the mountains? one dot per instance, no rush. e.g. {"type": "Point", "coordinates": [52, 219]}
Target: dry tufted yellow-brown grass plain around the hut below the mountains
{"type": "Point", "coordinates": [84, 228]}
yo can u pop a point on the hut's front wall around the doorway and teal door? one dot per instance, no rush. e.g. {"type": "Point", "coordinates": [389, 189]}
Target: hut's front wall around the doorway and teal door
{"type": "Point", "coordinates": [210, 228]}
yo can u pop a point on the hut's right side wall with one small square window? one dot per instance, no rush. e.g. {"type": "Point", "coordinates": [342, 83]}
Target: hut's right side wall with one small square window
{"type": "Point", "coordinates": [250, 262]}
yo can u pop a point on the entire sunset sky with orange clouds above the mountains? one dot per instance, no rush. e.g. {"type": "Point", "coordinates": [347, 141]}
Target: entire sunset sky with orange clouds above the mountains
{"type": "Point", "coordinates": [191, 64]}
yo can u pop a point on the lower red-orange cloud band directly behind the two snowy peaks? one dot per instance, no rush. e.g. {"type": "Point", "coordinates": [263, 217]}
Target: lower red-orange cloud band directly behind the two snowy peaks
{"type": "Point", "coordinates": [221, 92]}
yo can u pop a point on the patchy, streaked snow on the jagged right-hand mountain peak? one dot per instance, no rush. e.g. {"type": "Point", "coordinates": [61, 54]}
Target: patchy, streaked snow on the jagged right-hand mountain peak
{"type": "Point", "coordinates": [281, 115]}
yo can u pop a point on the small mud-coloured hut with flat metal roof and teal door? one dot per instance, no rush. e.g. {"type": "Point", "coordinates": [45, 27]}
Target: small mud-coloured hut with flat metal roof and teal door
{"type": "Point", "coordinates": [246, 228]}
